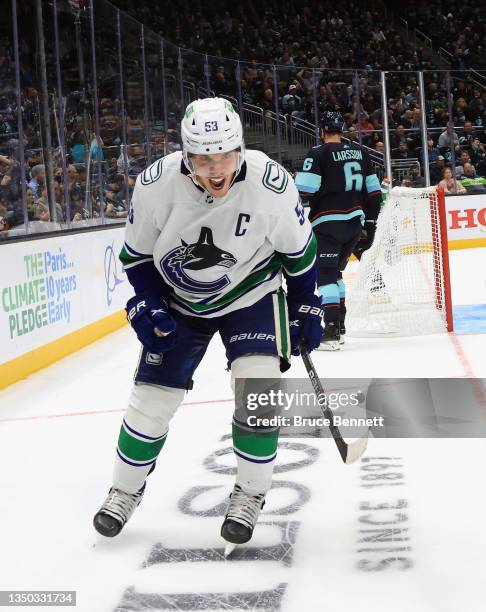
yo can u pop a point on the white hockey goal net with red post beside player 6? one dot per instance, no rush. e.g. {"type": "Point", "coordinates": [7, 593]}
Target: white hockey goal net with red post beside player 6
{"type": "Point", "coordinates": [402, 287]}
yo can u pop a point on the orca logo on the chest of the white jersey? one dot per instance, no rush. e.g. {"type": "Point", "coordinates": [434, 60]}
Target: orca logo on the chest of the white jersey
{"type": "Point", "coordinates": [200, 255]}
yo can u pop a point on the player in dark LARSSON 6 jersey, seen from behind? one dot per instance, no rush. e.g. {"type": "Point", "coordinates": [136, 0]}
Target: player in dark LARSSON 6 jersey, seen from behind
{"type": "Point", "coordinates": [344, 197]}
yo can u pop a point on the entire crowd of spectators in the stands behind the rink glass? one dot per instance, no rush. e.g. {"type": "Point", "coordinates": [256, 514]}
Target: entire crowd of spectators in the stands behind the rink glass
{"type": "Point", "coordinates": [310, 42]}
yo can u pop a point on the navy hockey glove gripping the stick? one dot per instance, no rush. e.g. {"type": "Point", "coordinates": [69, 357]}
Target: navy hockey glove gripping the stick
{"type": "Point", "coordinates": [305, 323]}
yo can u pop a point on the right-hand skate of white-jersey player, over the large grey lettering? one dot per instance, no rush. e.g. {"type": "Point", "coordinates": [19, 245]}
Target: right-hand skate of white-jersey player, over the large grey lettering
{"type": "Point", "coordinates": [241, 516]}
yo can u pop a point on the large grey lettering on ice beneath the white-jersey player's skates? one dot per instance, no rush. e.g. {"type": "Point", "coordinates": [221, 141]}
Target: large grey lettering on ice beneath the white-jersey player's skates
{"type": "Point", "coordinates": [264, 546]}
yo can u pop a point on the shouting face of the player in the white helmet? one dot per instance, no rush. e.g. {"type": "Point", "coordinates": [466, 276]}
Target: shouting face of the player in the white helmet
{"type": "Point", "coordinates": [215, 172]}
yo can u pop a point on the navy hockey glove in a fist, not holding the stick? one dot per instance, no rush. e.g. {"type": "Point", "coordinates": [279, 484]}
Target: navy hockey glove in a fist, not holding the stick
{"type": "Point", "coordinates": [154, 326]}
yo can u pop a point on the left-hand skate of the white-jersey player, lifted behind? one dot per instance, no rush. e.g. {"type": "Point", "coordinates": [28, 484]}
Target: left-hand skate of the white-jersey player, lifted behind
{"type": "Point", "coordinates": [115, 512]}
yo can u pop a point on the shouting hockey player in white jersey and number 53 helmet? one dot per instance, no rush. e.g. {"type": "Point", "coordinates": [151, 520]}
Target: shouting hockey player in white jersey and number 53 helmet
{"type": "Point", "coordinates": [210, 232]}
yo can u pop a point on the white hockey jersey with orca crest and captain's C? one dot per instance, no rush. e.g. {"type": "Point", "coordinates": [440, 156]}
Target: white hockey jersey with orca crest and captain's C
{"type": "Point", "coordinates": [218, 254]}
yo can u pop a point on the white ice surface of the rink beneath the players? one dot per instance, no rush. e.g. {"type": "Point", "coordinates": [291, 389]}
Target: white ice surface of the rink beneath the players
{"type": "Point", "coordinates": [402, 530]}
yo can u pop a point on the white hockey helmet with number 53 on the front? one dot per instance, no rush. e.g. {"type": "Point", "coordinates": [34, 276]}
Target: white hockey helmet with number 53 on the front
{"type": "Point", "coordinates": [211, 126]}
